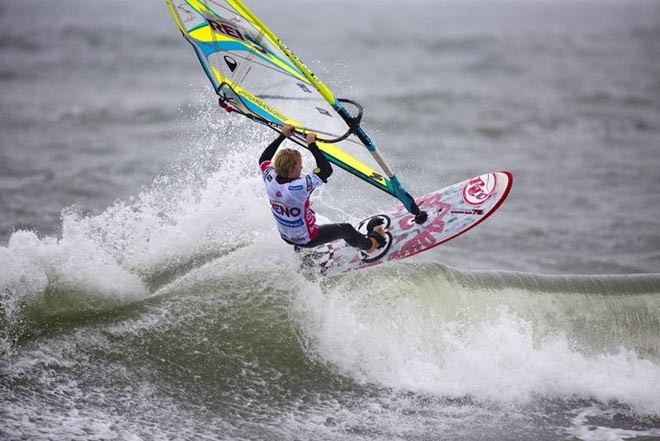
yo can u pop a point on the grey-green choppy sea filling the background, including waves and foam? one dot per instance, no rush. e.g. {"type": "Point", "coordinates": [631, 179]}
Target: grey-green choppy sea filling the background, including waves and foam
{"type": "Point", "coordinates": [144, 293]}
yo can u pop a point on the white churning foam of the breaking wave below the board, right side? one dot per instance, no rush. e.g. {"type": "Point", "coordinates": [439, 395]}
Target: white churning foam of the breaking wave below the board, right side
{"type": "Point", "coordinates": [409, 341]}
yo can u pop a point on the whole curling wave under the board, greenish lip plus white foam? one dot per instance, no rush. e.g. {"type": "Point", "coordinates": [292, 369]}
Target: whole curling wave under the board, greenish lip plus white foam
{"type": "Point", "coordinates": [419, 328]}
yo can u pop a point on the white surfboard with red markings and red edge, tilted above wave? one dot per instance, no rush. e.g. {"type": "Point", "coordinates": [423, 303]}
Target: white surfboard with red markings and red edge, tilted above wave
{"type": "Point", "coordinates": [451, 211]}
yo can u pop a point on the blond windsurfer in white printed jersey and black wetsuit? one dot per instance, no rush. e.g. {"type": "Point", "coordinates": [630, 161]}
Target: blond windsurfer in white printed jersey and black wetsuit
{"type": "Point", "coordinates": [289, 192]}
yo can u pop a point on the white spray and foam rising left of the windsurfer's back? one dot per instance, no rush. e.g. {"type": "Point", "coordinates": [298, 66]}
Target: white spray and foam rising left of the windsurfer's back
{"type": "Point", "coordinates": [201, 209]}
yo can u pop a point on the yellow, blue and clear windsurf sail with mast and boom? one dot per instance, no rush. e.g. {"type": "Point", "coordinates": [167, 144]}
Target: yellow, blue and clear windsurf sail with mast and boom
{"type": "Point", "coordinates": [256, 76]}
